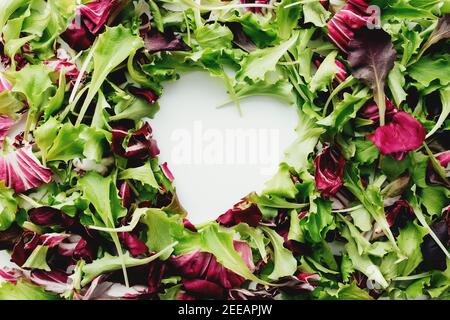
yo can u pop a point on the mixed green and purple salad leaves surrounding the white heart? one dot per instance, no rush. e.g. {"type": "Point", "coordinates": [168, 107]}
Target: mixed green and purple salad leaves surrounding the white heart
{"type": "Point", "coordinates": [359, 208]}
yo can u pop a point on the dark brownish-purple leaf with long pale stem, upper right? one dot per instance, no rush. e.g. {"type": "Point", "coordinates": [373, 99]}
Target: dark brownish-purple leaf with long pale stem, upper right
{"type": "Point", "coordinates": [371, 58]}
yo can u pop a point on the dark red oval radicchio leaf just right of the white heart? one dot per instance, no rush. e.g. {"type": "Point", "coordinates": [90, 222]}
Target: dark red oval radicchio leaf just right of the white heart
{"type": "Point", "coordinates": [329, 171]}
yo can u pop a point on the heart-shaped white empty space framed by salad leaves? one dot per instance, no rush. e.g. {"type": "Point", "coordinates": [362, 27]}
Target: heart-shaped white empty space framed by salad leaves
{"type": "Point", "coordinates": [216, 155]}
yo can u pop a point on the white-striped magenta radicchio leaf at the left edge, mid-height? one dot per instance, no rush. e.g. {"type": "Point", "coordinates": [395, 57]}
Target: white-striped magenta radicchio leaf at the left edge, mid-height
{"type": "Point", "coordinates": [22, 171]}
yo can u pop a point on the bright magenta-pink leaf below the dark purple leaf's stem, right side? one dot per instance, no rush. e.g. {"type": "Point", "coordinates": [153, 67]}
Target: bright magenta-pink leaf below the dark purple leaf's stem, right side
{"type": "Point", "coordinates": [403, 133]}
